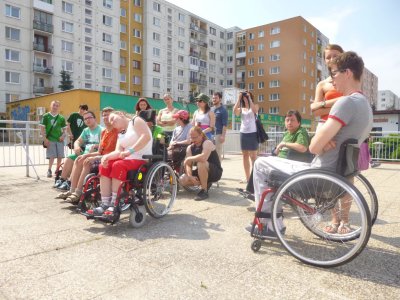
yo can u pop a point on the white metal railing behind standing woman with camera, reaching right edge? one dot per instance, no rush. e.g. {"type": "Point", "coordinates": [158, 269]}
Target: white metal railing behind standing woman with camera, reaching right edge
{"type": "Point", "coordinates": [383, 146]}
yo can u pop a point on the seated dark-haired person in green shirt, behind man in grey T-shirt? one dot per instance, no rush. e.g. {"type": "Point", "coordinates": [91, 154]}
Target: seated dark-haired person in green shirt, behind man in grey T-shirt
{"type": "Point", "coordinates": [294, 142]}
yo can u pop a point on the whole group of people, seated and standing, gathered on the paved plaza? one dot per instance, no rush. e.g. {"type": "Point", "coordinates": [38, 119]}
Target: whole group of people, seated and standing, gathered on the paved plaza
{"type": "Point", "coordinates": [197, 142]}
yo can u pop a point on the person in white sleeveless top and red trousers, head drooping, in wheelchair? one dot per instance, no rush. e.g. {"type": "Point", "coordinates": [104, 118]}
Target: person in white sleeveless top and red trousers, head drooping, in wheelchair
{"type": "Point", "coordinates": [134, 141]}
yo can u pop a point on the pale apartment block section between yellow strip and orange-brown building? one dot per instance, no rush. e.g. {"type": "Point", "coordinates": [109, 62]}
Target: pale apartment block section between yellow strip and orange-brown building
{"type": "Point", "coordinates": [185, 54]}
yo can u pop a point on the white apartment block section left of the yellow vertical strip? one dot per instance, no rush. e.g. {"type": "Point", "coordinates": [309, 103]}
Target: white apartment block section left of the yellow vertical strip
{"type": "Point", "coordinates": [40, 38]}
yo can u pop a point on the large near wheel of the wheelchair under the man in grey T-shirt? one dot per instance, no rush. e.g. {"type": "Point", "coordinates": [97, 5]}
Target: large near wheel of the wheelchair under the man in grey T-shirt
{"type": "Point", "coordinates": [308, 199]}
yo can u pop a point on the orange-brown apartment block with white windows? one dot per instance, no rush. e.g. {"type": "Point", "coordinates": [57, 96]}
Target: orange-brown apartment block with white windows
{"type": "Point", "coordinates": [280, 63]}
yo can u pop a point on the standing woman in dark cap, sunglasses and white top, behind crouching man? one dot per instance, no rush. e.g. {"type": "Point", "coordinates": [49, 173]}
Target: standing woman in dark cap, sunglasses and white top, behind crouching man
{"type": "Point", "coordinates": [203, 117]}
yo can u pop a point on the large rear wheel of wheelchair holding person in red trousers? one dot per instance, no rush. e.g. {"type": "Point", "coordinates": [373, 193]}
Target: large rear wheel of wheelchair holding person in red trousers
{"type": "Point", "coordinates": [160, 187]}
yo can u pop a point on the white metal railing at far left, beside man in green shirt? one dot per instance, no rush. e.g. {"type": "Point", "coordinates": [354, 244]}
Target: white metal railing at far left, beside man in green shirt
{"type": "Point", "coordinates": [21, 144]}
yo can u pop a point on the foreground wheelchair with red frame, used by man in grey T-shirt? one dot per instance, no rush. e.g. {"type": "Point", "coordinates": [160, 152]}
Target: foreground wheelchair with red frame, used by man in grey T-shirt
{"type": "Point", "coordinates": [305, 201]}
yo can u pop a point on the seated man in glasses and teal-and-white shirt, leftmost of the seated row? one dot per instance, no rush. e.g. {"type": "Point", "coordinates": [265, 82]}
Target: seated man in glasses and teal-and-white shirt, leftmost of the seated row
{"type": "Point", "coordinates": [90, 139]}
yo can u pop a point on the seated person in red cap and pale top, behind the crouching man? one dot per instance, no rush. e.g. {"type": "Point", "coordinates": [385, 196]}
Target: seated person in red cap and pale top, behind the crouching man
{"type": "Point", "coordinates": [180, 137]}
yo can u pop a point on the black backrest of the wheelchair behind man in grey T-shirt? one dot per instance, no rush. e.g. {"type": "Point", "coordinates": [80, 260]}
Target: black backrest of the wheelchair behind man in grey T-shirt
{"type": "Point", "coordinates": [347, 163]}
